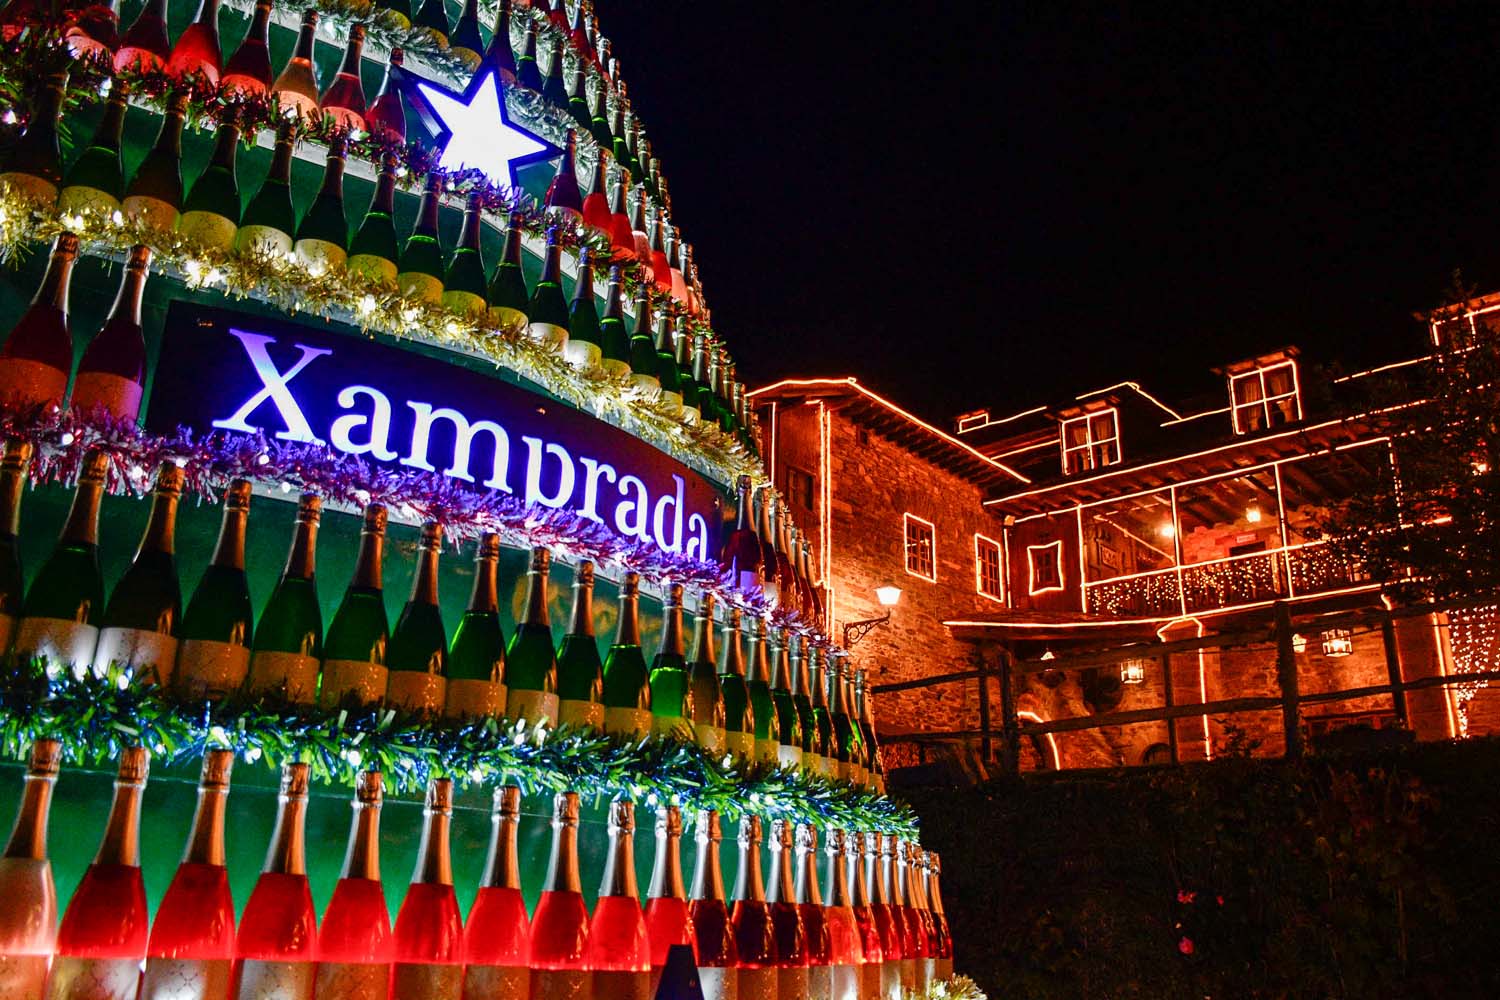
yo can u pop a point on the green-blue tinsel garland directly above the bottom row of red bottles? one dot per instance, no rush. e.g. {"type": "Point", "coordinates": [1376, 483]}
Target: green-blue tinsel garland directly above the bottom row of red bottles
{"type": "Point", "coordinates": [97, 717]}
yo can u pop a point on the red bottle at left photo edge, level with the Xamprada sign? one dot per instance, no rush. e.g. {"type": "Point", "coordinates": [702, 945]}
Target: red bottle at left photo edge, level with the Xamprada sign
{"type": "Point", "coordinates": [40, 353]}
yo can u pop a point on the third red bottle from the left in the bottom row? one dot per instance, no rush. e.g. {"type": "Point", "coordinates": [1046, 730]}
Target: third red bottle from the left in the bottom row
{"type": "Point", "coordinates": [191, 948]}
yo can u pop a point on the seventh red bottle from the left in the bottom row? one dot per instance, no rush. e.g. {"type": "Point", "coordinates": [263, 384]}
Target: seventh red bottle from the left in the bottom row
{"type": "Point", "coordinates": [497, 941]}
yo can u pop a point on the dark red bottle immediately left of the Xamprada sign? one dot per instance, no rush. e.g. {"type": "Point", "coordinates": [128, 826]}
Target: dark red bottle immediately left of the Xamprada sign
{"type": "Point", "coordinates": [113, 370]}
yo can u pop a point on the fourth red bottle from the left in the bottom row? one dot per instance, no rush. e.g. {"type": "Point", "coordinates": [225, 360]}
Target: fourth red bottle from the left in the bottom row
{"type": "Point", "coordinates": [277, 948]}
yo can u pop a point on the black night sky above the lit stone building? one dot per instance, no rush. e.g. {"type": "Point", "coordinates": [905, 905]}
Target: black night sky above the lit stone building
{"type": "Point", "coordinates": [1012, 208]}
